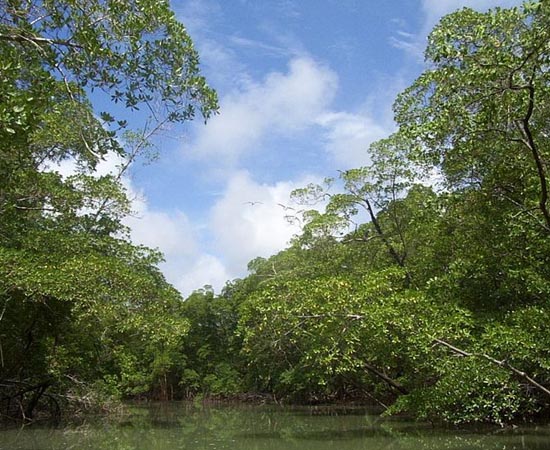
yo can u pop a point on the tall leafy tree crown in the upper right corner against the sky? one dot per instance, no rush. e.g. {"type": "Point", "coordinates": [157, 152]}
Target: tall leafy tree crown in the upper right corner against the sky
{"type": "Point", "coordinates": [488, 82]}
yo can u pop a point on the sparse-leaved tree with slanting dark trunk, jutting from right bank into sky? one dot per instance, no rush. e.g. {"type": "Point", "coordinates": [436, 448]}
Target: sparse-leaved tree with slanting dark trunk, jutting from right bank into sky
{"type": "Point", "coordinates": [370, 189]}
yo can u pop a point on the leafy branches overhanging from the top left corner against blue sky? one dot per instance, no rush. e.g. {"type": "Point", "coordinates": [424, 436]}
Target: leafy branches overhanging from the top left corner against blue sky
{"type": "Point", "coordinates": [136, 51]}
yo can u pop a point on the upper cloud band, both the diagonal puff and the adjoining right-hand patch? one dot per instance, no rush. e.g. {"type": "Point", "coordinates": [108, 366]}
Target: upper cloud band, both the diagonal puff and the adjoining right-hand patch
{"type": "Point", "coordinates": [285, 103]}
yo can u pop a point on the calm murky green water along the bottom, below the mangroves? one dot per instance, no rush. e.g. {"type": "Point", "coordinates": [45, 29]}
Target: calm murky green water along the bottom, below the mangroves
{"type": "Point", "coordinates": [185, 426]}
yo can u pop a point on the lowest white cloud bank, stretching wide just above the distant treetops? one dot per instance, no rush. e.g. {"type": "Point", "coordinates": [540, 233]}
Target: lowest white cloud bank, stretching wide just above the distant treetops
{"type": "Point", "coordinates": [249, 220]}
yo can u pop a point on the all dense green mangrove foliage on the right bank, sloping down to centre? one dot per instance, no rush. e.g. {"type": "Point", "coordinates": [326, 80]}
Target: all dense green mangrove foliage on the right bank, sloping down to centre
{"type": "Point", "coordinates": [425, 284]}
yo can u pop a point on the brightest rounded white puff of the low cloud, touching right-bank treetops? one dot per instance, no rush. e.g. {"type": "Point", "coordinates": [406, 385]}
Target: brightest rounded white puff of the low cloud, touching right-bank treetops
{"type": "Point", "coordinates": [249, 220]}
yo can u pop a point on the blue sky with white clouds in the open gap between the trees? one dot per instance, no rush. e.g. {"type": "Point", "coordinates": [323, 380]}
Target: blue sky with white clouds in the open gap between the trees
{"type": "Point", "coordinates": [304, 87]}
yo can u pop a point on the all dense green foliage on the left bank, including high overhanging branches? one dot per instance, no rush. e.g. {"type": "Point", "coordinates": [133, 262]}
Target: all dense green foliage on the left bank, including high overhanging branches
{"type": "Point", "coordinates": [84, 314]}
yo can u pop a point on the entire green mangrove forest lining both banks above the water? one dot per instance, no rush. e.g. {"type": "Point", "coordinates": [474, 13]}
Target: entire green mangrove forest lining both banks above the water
{"type": "Point", "coordinates": [423, 286]}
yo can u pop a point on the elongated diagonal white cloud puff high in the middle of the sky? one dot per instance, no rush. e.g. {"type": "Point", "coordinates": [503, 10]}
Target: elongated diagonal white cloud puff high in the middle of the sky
{"type": "Point", "coordinates": [282, 103]}
